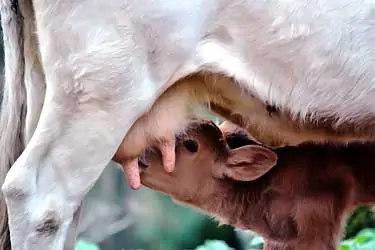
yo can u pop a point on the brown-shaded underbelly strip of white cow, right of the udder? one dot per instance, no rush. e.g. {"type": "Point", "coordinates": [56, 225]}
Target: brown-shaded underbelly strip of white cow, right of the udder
{"type": "Point", "coordinates": [275, 126]}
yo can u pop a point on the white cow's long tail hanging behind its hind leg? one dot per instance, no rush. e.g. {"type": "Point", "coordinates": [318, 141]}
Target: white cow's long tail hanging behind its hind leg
{"type": "Point", "coordinates": [13, 106]}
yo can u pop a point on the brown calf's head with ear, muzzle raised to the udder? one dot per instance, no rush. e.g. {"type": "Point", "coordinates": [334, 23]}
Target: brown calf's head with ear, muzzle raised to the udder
{"type": "Point", "coordinates": [204, 165]}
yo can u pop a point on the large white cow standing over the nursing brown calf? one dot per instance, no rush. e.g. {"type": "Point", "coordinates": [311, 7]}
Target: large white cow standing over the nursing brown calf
{"type": "Point", "coordinates": [86, 70]}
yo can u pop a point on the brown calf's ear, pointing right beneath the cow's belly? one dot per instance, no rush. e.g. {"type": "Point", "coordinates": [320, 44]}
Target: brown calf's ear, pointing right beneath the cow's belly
{"type": "Point", "coordinates": [249, 162]}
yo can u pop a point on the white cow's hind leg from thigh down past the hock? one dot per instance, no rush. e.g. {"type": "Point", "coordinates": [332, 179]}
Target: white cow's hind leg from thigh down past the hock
{"type": "Point", "coordinates": [93, 97]}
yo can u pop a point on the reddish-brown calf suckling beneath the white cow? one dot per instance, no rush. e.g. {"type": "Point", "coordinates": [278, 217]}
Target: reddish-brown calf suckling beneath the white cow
{"type": "Point", "coordinates": [299, 203]}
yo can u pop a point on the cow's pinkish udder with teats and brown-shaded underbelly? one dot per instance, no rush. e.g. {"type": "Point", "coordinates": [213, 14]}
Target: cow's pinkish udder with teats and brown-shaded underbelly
{"type": "Point", "coordinates": [271, 125]}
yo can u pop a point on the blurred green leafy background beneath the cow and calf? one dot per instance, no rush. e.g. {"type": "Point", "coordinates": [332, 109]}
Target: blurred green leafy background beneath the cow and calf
{"type": "Point", "coordinates": [117, 218]}
